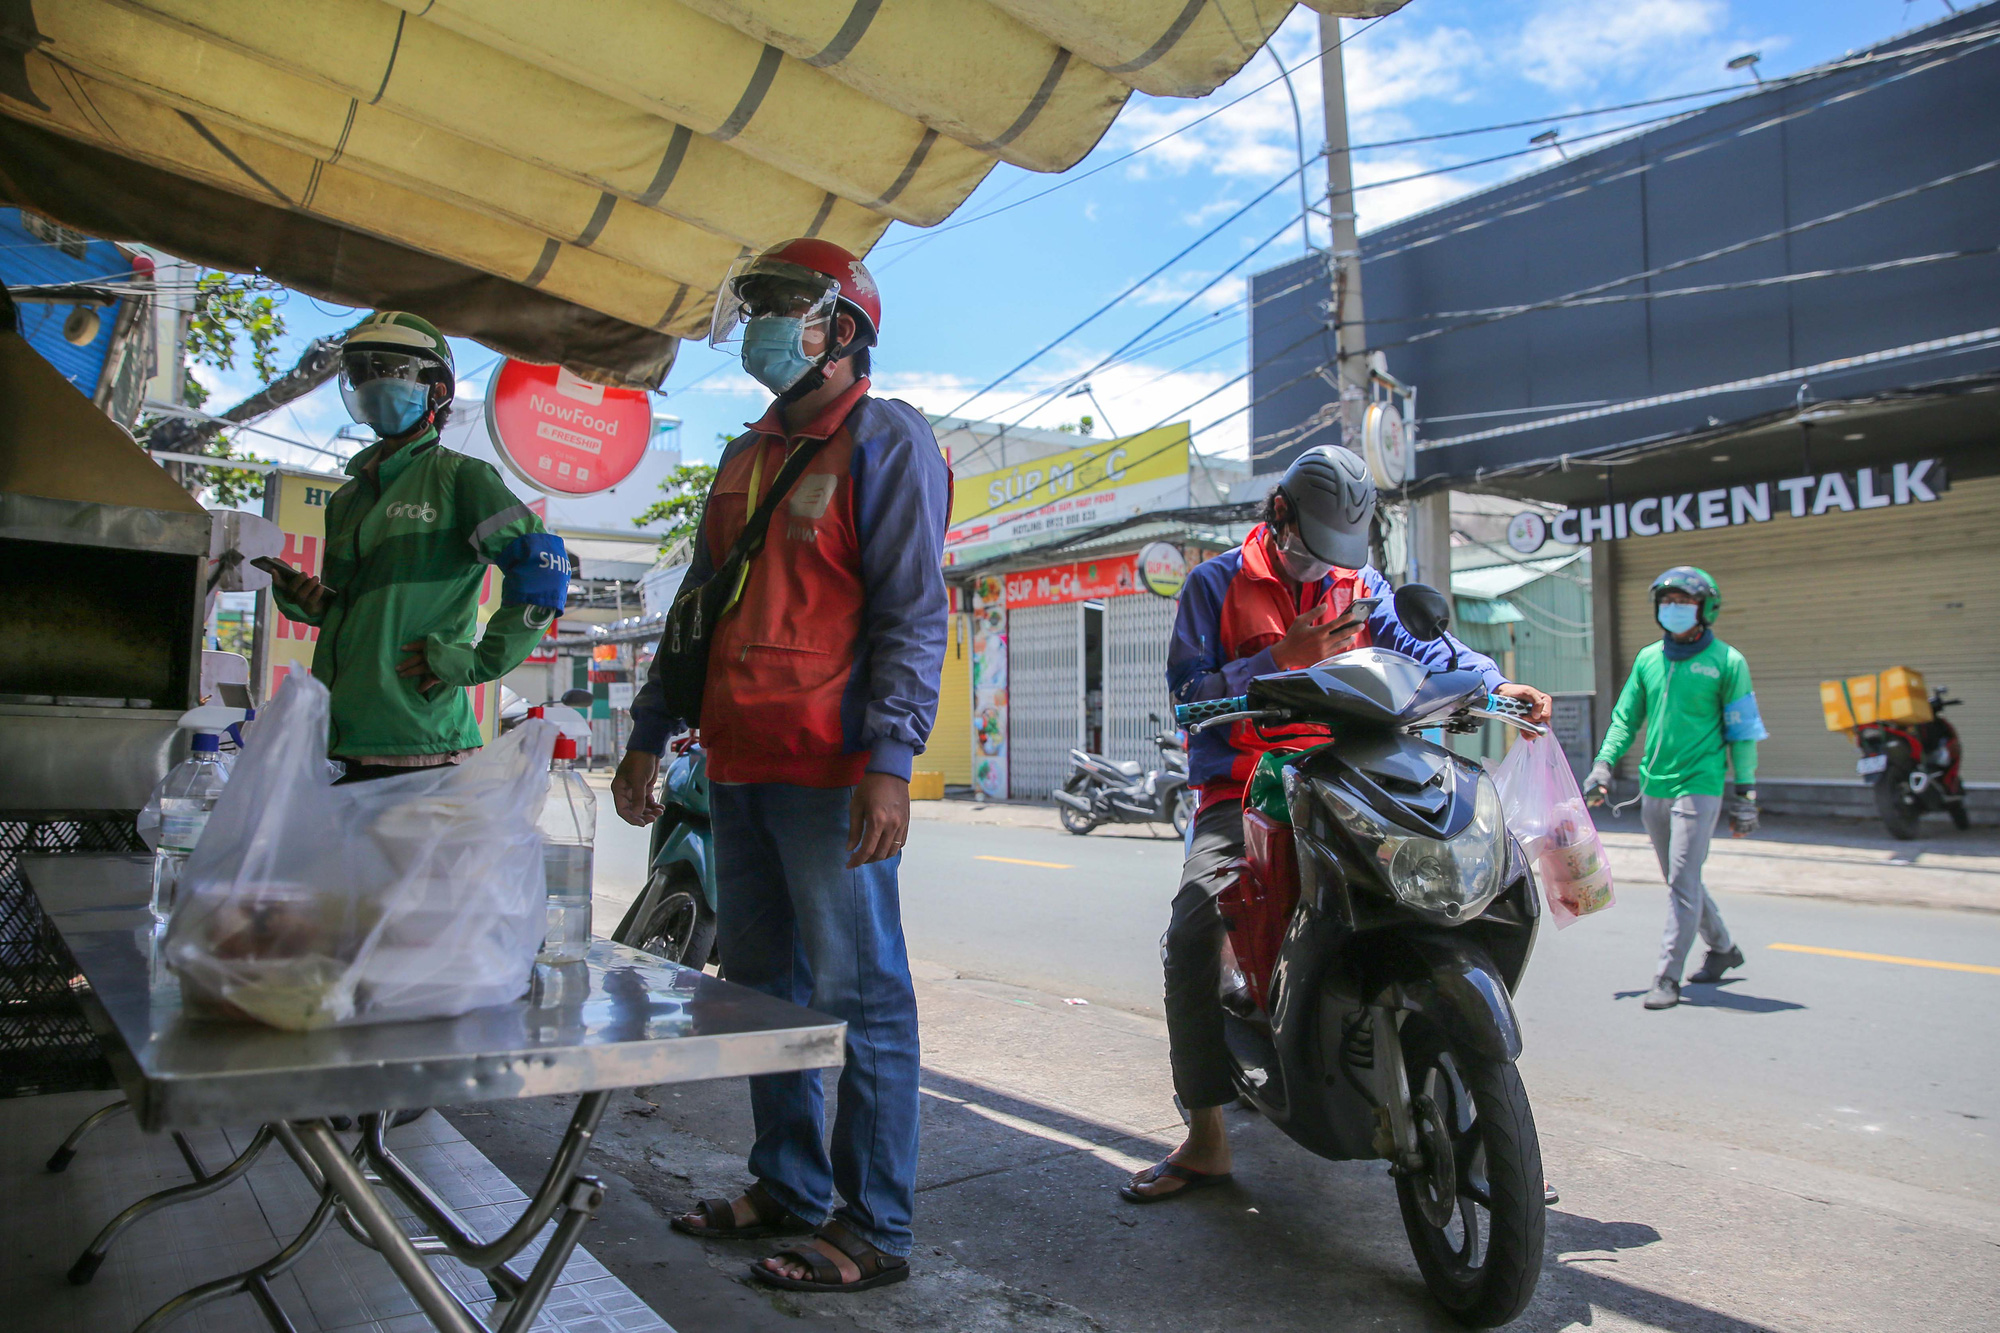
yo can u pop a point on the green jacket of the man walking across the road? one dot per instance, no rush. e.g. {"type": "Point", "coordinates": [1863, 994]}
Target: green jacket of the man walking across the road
{"type": "Point", "coordinates": [1695, 712]}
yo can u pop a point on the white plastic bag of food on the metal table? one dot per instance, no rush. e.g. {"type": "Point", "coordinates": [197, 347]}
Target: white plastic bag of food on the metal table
{"type": "Point", "coordinates": [409, 898]}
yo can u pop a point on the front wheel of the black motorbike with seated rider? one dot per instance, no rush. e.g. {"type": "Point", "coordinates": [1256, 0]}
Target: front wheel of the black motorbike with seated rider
{"type": "Point", "coordinates": [1475, 1214]}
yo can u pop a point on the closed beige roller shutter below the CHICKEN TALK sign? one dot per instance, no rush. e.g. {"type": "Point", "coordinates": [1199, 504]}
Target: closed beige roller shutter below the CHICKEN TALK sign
{"type": "Point", "coordinates": [1813, 599]}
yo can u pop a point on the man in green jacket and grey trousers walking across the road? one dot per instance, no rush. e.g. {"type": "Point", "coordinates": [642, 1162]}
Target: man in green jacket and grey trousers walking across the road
{"type": "Point", "coordinates": [1693, 694]}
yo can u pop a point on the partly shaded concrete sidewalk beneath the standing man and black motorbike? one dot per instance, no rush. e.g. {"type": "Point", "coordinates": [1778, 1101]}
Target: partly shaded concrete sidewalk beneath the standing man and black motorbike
{"type": "Point", "coordinates": [1035, 1110]}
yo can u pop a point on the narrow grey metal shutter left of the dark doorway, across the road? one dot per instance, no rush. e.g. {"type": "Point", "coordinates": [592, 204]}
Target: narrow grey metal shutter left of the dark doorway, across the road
{"type": "Point", "coordinates": [1045, 698]}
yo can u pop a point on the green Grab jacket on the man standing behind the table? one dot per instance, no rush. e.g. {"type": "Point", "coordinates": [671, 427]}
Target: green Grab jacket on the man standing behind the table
{"type": "Point", "coordinates": [405, 557]}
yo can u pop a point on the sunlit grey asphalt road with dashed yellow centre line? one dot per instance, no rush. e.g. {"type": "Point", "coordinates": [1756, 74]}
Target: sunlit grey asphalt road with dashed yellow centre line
{"type": "Point", "coordinates": [1851, 1064]}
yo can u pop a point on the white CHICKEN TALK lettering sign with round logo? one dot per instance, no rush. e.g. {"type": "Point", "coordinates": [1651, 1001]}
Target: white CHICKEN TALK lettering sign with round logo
{"type": "Point", "coordinates": [1727, 507]}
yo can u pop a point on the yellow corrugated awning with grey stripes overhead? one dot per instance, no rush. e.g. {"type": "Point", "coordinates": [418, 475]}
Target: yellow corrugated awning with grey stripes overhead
{"type": "Point", "coordinates": [567, 181]}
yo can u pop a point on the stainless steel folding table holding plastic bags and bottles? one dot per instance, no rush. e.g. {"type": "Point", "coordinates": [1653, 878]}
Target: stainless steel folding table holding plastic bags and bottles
{"type": "Point", "coordinates": [615, 1022]}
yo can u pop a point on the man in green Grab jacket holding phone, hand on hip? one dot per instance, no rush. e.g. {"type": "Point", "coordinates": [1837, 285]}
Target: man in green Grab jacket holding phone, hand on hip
{"type": "Point", "coordinates": [409, 543]}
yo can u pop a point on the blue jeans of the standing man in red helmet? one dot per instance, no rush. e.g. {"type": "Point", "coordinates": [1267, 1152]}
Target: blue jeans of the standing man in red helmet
{"type": "Point", "coordinates": [793, 922]}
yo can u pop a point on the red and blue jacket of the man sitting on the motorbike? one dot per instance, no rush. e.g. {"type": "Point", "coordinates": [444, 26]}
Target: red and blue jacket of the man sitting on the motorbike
{"type": "Point", "coordinates": [1233, 611]}
